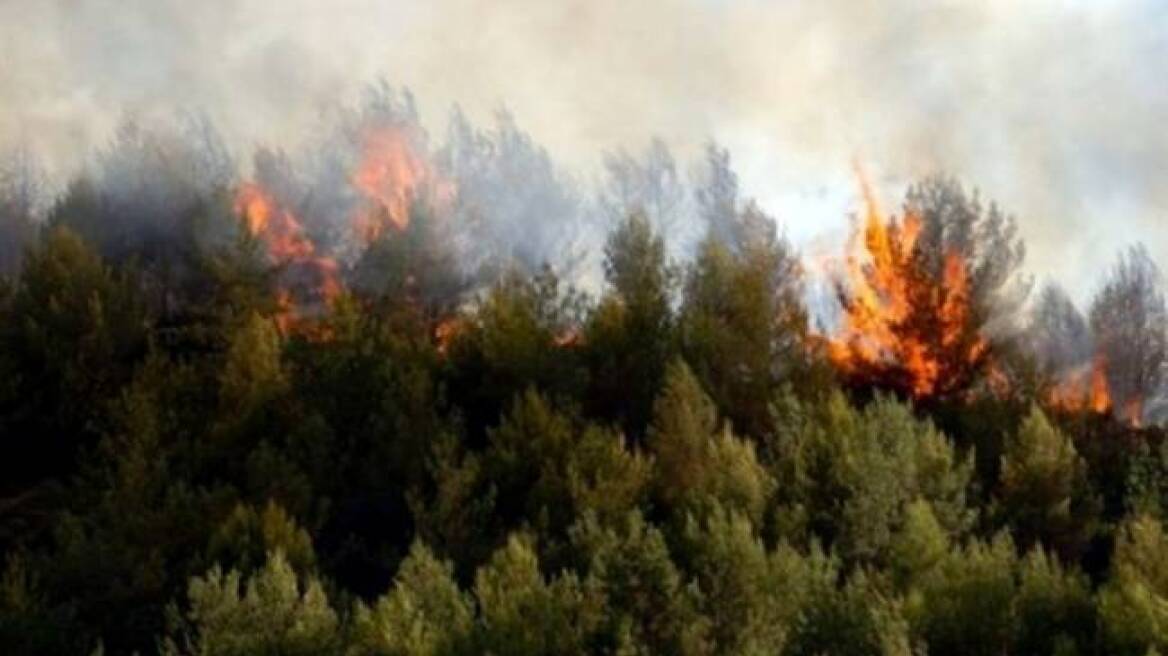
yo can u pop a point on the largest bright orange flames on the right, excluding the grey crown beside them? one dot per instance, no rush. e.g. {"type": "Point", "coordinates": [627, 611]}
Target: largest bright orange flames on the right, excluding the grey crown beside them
{"type": "Point", "coordinates": [906, 323]}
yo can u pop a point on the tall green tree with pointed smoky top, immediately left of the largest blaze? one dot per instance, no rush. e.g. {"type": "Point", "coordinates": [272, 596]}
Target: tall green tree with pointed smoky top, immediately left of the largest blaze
{"type": "Point", "coordinates": [742, 324]}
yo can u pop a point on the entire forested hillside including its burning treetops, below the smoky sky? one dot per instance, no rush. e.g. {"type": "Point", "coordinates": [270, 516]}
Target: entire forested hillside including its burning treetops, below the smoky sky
{"type": "Point", "coordinates": [370, 400]}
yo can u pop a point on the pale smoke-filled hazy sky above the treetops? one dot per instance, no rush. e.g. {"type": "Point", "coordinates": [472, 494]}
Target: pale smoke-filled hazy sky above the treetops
{"type": "Point", "coordinates": [1058, 110]}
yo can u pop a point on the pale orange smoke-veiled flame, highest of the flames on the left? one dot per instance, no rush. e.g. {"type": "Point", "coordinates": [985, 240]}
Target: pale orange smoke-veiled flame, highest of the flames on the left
{"type": "Point", "coordinates": [393, 176]}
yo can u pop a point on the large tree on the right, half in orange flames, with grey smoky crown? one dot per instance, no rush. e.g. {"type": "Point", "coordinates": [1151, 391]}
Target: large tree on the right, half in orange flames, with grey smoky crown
{"type": "Point", "coordinates": [928, 294]}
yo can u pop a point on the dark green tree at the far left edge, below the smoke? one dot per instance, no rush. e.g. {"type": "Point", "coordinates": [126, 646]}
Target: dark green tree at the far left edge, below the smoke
{"type": "Point", "coordinates": [71, 337]}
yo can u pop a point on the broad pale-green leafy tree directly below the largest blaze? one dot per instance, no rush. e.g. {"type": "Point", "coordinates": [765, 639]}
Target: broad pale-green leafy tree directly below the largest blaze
{"type": "Point", "coordinates": [852, 473]}
